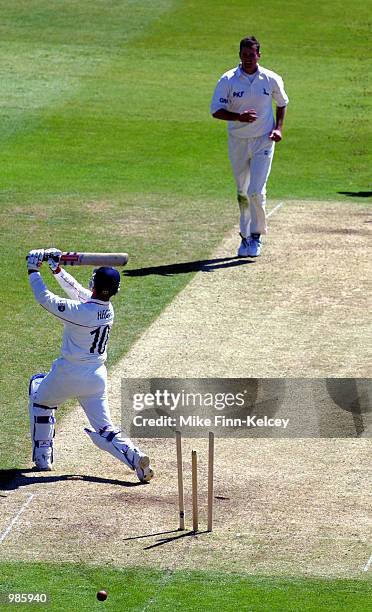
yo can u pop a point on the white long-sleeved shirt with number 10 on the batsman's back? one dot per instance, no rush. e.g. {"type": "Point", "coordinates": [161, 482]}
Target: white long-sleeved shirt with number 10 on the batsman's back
{"type": "Point", "coordinates": [87, 321]}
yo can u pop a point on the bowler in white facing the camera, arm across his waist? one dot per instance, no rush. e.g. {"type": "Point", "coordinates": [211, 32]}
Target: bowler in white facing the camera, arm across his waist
{"type": "Point", "coordinates": [244, 98]}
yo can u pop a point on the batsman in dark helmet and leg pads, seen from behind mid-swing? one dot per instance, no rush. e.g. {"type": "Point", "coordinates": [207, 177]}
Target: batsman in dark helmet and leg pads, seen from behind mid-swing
{"type": "Point", "coordinates": [80, 371]}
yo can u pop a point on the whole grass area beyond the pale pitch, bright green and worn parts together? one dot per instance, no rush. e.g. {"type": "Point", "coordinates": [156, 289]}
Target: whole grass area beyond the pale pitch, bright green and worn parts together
{"type": "Point", "coordinates": [106, 143]}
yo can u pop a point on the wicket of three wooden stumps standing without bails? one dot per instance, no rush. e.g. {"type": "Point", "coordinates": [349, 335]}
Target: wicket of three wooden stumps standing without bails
{"type": "Point", "coordinates": [194, 480]}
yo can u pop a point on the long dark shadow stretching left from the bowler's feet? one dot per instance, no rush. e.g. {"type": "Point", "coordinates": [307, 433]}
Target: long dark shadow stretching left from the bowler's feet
{"type": "Point", "coordinates": [203, 265]}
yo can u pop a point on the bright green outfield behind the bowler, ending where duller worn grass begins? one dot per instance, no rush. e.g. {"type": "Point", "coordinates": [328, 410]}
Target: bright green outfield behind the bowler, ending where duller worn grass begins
{"type": "Point", "coordinates": [116, 99]}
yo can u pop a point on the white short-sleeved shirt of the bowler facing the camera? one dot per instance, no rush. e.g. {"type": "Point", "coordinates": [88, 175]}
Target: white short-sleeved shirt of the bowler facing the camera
{"type": "Point", "coordinates": [236, 93]}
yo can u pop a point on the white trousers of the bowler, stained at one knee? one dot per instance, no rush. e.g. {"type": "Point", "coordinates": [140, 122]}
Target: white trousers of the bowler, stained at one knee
{"type": "Point", "coordinates": [251, 160]}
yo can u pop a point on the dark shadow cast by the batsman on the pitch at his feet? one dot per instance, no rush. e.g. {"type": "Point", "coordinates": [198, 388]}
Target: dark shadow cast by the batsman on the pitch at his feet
{"type": "Point", "coordinates": [11, 480]}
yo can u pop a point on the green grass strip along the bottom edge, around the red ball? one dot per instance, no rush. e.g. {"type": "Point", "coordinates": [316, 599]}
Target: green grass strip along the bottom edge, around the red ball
{"type": "Point", "coordinates": [75, 586]}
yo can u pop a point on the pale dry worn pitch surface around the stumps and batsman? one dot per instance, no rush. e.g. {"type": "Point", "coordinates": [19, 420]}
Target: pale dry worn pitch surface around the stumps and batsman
{"type": "Point", "coordinates": [299, 506]}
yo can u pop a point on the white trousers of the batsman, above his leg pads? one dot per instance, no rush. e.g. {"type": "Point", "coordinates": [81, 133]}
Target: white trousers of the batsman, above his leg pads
{"type": "Point", "coordinates": [86, 383]}
